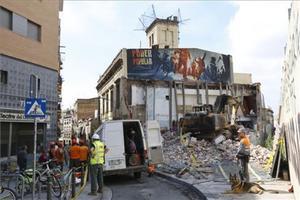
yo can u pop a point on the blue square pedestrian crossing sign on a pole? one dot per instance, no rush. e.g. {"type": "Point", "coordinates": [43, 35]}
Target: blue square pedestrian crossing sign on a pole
{"type": "Point", "coordinates": [35, 108]}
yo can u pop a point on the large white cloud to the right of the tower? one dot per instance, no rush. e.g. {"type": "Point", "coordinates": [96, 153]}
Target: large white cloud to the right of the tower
{"type": "Point", "coordinates": [258, 33]}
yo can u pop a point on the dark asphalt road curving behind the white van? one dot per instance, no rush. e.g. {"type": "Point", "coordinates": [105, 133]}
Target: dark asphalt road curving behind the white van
{"type": "Point", "coordinates": [147, 188]}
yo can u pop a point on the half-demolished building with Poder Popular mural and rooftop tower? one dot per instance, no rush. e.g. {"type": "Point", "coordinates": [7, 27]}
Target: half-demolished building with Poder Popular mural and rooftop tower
{"type": "Point", "coordinates": [165, 84]}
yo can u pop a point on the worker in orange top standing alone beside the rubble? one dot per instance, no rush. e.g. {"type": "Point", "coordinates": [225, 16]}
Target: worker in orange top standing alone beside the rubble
{"type": "Point", "coordinates": [243, 153]}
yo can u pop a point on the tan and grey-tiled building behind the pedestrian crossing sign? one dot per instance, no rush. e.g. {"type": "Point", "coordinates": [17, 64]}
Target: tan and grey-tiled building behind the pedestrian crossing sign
{"type": "Point", "coordinates": [30, 39]}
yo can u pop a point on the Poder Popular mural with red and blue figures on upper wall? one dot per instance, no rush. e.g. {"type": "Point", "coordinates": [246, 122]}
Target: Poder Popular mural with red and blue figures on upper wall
{"type": "Point", "coordinates": [178, 64]}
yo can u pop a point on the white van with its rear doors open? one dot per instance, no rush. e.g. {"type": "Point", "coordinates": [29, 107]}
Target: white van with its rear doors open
{"type": "Point", "coordinates": [115, 135]}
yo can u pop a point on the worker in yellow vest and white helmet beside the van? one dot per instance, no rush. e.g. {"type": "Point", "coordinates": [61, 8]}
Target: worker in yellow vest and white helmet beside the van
{"type": "Point", "coordinates": [97, 153]}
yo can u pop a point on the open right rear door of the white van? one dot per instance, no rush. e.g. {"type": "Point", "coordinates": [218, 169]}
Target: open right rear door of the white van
{"type": "Point", "coordinates": [154, 142]}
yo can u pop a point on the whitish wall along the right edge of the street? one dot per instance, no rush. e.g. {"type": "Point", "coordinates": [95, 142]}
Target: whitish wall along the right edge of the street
{"type": "Point", "coordinates": [289, 116]}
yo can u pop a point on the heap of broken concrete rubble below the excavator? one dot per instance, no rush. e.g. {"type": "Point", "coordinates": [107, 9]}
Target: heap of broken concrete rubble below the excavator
{"type": "Point", "coordinates": [198, 158]}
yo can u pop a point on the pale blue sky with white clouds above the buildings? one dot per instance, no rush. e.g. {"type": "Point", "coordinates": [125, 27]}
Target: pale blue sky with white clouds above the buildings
{"type": "Point", "coordinates": [93, 32]}
